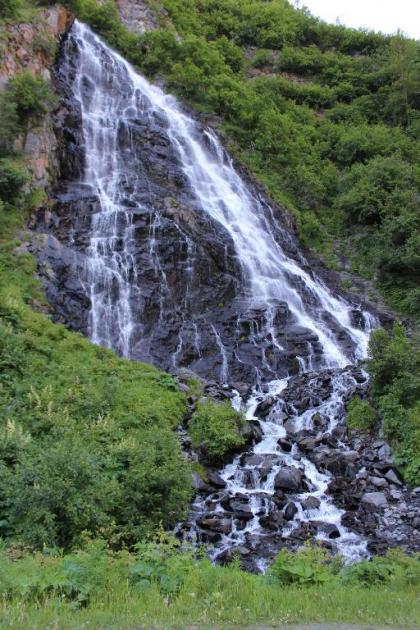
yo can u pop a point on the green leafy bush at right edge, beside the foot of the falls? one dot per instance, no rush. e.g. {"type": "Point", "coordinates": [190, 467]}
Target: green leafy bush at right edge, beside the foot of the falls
{"type": "Point", "coordinates": [395, 368]}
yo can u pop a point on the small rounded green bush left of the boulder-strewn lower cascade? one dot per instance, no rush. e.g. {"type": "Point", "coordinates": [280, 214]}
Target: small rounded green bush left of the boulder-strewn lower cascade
{"type": "Point", "coordinates": [215, 430]}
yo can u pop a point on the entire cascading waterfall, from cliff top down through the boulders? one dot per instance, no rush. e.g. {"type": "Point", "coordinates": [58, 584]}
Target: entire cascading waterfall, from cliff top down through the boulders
{"type": "Point", "coordinates": [113, 100]}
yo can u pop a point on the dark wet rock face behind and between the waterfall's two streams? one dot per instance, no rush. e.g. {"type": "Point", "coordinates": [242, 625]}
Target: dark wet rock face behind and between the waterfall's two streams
{"type": "Point", "coordinates": [185, 291]}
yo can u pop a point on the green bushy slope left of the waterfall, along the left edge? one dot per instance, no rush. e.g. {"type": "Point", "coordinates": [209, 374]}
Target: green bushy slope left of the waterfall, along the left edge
{"type": "Point", "coordinates": [87, 440]}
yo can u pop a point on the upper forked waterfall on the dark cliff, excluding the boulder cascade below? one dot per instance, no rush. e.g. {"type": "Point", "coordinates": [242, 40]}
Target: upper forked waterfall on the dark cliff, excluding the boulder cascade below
{"type": "Point", "coordinates": [111, 96]}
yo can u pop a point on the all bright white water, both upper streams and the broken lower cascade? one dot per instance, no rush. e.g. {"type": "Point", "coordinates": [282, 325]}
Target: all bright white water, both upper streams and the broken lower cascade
{"type": "Point", "coordinates": [270, 276]}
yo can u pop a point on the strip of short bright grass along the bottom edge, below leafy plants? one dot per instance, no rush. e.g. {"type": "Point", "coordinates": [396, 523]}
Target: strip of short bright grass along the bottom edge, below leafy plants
{"type": "Point", "coordinates": [252, 605]}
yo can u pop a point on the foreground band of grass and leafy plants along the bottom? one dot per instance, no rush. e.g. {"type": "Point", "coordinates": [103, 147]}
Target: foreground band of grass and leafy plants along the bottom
{"type": "Point", "coordinates": [159, 587]}
